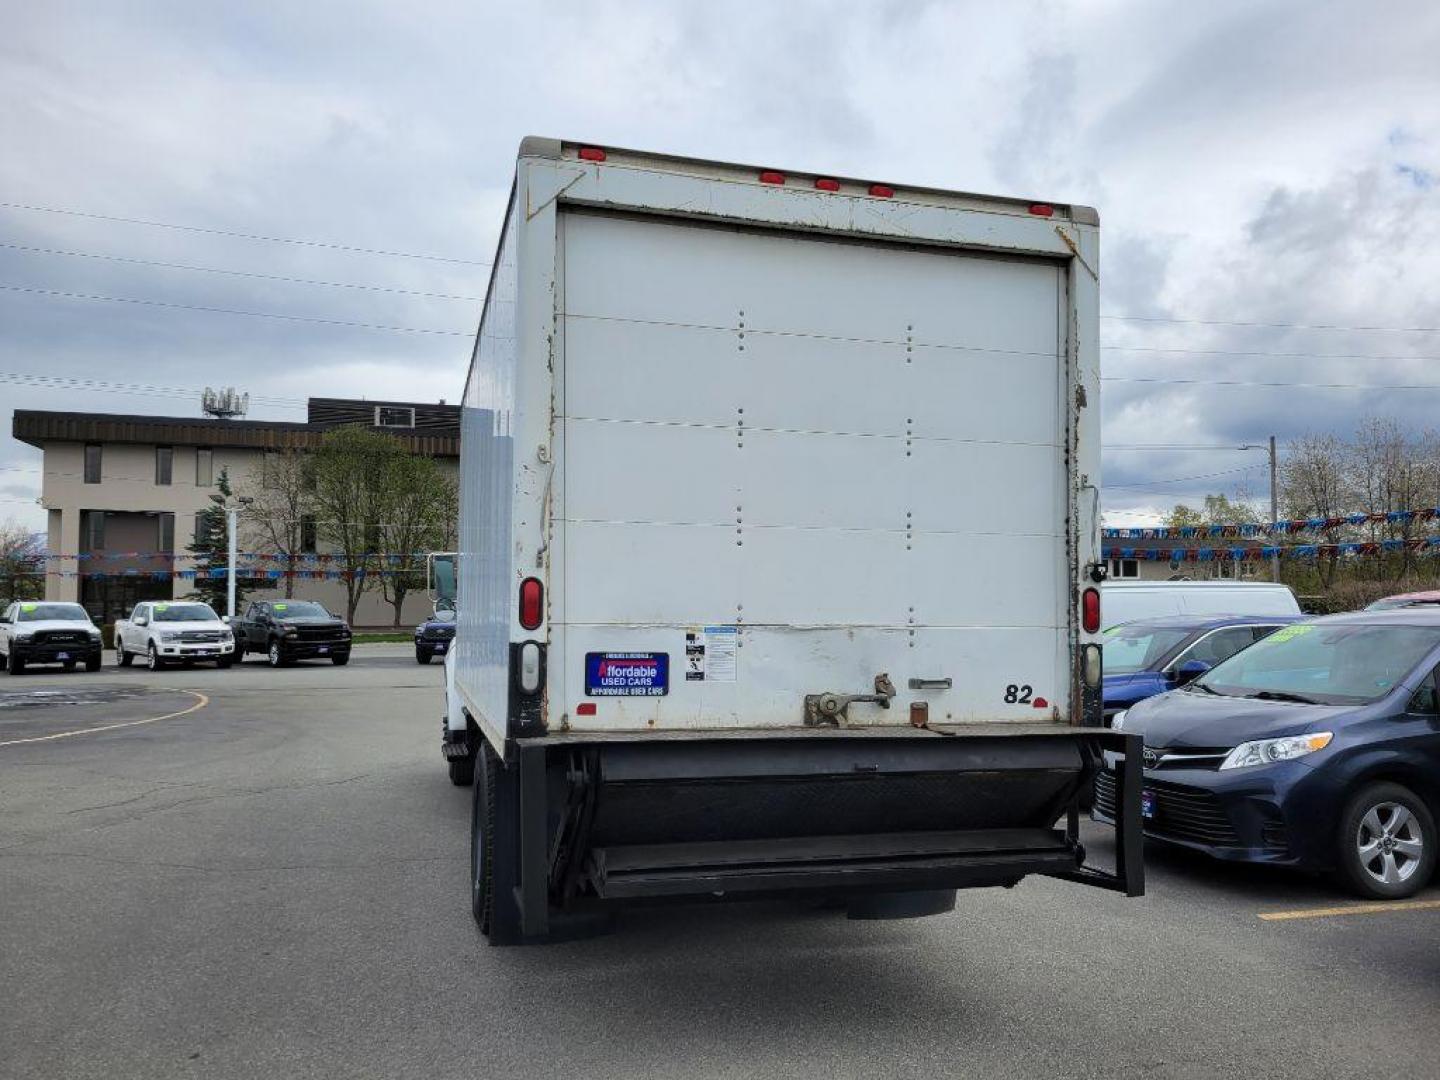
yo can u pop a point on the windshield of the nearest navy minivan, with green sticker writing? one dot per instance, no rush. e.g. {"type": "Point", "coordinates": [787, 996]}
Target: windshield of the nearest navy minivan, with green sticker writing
{"type": "Point", "coordinates": [1328, 665]}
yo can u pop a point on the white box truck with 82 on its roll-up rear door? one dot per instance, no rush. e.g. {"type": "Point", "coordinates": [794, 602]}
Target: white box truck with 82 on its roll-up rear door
{"type": "Point", "coordinates": [780, 549]}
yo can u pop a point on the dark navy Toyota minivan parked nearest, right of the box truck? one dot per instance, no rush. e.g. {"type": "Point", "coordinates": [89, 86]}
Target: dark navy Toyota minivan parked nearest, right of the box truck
{"type": "Point", "coordinates": [1317, 748]}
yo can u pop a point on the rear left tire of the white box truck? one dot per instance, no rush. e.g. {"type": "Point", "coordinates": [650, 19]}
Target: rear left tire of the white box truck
{"type": "Point", "coordinates": [495, 858]}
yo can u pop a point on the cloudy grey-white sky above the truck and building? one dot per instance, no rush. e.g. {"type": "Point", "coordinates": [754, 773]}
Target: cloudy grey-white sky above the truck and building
{"type": "Point", "coordinates": [1254, 163]}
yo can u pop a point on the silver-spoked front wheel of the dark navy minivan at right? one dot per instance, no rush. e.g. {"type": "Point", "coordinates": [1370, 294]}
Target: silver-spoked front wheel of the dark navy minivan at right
{"type": "Point", "coordinates": [1387, 843]}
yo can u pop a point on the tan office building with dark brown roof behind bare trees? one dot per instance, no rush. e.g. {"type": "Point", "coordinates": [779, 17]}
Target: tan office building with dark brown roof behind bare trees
{"type": "Point", "coordinates": [123, 495]}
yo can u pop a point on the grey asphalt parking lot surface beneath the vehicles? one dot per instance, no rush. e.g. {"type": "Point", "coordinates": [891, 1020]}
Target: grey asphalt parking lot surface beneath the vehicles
{"type": "Point", "coordinates": [263, 873]}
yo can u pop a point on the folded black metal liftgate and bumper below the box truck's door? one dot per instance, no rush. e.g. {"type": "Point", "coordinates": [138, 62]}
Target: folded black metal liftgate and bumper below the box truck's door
{"type": "Point", "coordinates": [613, 820]}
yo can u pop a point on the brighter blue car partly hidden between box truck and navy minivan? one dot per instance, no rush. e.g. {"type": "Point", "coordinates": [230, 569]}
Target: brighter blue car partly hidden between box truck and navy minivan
{"type": "Point", "coordinates": [1153, 656]}
